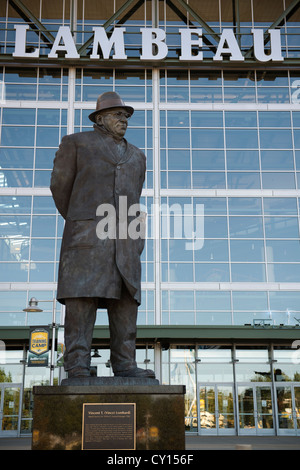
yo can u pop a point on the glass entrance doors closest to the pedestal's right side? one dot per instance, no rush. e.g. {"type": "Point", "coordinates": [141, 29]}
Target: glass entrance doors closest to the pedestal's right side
{"type": "Point", "coordinates": [216, 409]}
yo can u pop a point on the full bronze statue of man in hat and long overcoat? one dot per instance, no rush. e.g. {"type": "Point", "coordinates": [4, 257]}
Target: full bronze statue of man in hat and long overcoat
{"type": "Point", "coordinates": [94, 171]}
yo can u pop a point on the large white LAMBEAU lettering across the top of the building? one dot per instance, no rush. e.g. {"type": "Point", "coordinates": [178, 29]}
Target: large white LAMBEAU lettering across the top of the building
{"type": "Point", "coordinates": [150, 37]}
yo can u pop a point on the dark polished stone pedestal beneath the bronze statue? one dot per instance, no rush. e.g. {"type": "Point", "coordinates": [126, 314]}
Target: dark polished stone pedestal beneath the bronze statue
{"type": "Point", "coordinates": [58, 412]}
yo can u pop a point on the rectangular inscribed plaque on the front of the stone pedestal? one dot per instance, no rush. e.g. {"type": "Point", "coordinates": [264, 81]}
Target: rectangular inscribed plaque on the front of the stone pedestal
{"type": "Point", "coordinates": [108, 426]}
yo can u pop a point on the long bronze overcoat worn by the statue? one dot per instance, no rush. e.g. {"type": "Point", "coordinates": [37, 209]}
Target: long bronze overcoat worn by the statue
{"type": "Point", "coordinates": [89, 172]}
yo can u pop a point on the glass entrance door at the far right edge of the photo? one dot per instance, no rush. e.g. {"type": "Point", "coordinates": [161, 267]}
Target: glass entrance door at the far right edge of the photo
{"type": "Point", "coordinates": [288, 408]}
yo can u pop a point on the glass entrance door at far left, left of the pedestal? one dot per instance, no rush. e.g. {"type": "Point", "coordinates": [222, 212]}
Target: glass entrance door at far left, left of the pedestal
{"type": "Point", "coordinates": [9, 409]}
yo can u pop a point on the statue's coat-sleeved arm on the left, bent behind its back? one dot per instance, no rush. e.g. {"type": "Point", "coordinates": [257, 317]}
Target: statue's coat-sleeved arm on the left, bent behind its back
{"type": "Point", "coordinates": [63, 174]}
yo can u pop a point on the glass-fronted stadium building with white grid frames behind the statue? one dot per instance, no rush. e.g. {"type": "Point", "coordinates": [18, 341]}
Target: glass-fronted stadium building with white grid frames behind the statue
{"type": "Point", "coordinates": [216, 91]}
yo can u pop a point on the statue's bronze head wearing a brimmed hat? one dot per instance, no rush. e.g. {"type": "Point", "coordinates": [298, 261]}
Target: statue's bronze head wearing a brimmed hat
{"type": "Point", "coordinates": [112, 113]}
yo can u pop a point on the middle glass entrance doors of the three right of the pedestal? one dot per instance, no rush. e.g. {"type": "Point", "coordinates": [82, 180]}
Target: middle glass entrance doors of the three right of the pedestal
{"type": "Point", "coordinates": [255, 409]}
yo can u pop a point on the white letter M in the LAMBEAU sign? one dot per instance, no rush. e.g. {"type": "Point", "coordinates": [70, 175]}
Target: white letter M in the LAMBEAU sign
{"type": "Point", "coordinates": [106, 44]}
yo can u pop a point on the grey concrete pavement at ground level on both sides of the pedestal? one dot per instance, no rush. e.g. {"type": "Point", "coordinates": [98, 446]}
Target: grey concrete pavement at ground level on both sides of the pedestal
{"type": "Point", "coordinates": [198, 443]}
